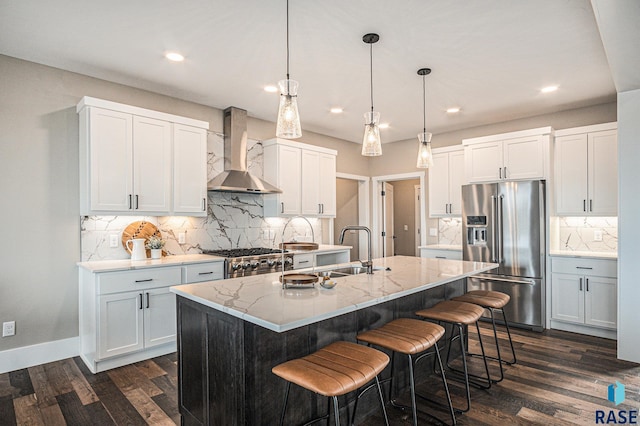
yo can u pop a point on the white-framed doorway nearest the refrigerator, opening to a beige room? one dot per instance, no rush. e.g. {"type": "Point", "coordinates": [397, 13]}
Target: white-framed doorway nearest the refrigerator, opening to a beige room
{"type": "Point", "coordinates": [406, 212]}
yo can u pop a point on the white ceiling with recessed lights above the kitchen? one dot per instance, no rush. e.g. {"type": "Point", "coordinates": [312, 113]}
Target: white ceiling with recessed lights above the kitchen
{"type": "Point", "coordinates": [489, 57]}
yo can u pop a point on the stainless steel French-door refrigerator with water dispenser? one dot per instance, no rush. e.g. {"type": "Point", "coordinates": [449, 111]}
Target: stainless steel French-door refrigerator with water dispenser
{"type": "Point", "coordinates": [504, 223]}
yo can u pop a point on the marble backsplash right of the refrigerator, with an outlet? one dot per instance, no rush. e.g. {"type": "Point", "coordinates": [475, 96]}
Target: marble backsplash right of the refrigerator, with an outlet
{"type": "Point", "coordinates": [578, 234]}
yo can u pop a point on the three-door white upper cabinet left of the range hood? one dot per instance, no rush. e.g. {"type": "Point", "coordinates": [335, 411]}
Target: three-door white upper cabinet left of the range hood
{"type": "Point", "coordinates": [137, 161]}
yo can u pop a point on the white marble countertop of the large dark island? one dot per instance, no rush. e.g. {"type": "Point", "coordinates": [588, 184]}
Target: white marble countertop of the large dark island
{"type": "Point", "coordinates": [261, 300]}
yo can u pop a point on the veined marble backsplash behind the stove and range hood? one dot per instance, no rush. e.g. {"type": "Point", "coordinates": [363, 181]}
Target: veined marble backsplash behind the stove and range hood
{"type": "Point", "coordinates": [234, 220]}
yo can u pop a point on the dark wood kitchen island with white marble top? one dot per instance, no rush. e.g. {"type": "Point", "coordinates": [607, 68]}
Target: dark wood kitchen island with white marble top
{"type": "Point", "coordinates": [232, 332]}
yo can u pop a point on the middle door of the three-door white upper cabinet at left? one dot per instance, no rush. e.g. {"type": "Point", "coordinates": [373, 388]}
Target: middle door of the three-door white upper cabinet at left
{"type": "Point", "coordinates": [151, 165]}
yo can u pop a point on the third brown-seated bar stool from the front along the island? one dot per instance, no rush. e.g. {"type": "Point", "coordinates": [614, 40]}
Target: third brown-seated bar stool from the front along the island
{"type": "Point", "coordinates": [459, 315]}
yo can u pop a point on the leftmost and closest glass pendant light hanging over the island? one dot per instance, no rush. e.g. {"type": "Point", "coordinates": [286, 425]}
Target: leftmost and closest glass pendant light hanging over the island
{"type": "Point", "coordinates": [288, 123]}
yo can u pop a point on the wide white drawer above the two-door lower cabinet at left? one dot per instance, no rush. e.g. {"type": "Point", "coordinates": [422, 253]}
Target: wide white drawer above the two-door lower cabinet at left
{"type": "Point", "coordinates": [115, 282]}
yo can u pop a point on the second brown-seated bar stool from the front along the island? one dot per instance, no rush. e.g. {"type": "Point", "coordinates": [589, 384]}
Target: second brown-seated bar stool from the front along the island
{"type": "Point", "coordinates": [410, 337]}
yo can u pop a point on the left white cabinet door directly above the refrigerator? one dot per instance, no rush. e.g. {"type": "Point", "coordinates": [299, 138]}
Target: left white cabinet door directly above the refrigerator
{"type": "Point", "coordinates": [483, 162]}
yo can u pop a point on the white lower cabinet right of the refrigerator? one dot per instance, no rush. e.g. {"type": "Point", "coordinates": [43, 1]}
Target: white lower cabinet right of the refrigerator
{"type": "Point", "coordinates": [584, 292]}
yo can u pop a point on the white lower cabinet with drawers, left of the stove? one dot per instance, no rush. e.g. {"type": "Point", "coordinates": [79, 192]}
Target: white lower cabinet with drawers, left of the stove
{"type": "Point", "coordinates": [128, 316]}
